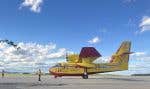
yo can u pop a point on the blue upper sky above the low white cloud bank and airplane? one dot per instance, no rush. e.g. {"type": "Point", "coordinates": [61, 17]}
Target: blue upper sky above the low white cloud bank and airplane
{"type": "Point", "coordinates": [72, 24]}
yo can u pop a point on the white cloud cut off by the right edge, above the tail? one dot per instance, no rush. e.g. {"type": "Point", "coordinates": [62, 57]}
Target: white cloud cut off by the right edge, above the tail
{"type": "Point", "coordinates": [145, 24]}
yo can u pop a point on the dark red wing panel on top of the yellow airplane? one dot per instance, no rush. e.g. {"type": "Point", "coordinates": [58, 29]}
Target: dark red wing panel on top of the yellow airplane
{"type": "Point", "coordinates": [89, 52]}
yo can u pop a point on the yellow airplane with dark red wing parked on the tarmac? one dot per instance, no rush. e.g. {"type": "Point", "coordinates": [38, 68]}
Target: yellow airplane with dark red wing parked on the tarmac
{"type": "Point", "coordinates": [83, 64]}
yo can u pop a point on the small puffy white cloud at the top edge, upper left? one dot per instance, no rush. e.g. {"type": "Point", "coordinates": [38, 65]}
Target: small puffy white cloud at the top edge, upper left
{"type": "Point", "coordinates": [34, 5]}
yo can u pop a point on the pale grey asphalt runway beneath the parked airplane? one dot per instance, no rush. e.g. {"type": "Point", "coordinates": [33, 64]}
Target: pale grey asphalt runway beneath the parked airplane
{"type": "Point", "coordinates": [94, 82]}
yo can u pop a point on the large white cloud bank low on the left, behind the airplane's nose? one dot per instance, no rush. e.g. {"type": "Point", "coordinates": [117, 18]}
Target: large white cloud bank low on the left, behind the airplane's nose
{"type": "Point", "coordinates": [30, 56]}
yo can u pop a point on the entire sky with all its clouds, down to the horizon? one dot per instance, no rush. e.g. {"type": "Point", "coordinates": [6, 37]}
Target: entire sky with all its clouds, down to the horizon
{"type": "Point", "coordinates": [47, 29]}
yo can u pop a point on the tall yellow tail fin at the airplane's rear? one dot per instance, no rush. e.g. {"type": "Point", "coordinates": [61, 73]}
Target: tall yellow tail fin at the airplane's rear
{"type": "Point", "coordinates": [122, 55]}
